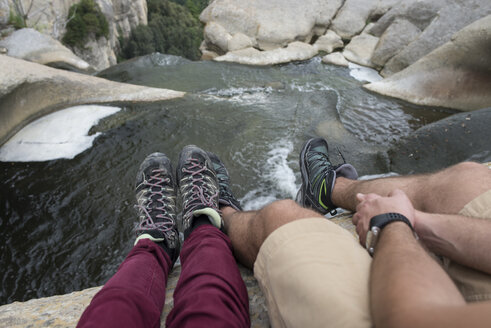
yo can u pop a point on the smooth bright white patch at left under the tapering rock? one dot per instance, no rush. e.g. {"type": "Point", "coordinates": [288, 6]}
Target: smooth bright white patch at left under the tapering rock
{"type": "Point", "coordinates": [62, 134]}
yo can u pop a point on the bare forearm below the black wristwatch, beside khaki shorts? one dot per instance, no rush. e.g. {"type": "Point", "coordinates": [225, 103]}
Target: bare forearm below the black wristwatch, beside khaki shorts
{"type": "Point", "coordinates": [407, 286]}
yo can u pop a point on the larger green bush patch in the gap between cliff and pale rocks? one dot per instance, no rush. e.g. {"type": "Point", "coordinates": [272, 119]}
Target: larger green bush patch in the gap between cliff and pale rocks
{"type": "Point", "coordinates": [172, 29]}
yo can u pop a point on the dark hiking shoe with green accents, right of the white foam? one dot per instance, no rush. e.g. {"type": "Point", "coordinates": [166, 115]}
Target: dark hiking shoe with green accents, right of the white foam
{"type": "Point", "coordinates": [319, 176]}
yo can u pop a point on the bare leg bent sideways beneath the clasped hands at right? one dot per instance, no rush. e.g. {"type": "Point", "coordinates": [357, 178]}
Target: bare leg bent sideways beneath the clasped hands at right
{"type": "Point", "coordinates": [444, 192]}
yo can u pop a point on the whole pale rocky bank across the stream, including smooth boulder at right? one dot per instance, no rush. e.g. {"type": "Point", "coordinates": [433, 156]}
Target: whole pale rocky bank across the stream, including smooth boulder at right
{"type": "Point", "coordinates": [388, 35]}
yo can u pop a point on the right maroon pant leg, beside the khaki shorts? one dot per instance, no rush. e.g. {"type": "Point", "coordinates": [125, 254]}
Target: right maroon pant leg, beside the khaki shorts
{"type": "Point", "coordinates": [210, 291]}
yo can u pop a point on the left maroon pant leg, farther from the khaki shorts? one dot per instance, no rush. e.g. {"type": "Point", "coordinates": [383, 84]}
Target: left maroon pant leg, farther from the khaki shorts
{"type": "Point", "coordinates": [135, 295]}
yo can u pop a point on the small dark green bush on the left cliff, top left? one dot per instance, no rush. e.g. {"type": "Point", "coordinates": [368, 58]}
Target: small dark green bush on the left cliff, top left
{"type": "Point", "coordinates": [85, 18]}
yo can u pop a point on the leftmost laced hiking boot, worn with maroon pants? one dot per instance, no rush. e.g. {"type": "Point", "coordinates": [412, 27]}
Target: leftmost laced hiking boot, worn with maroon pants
{"type": "Point", "coordinates": [156, 199]}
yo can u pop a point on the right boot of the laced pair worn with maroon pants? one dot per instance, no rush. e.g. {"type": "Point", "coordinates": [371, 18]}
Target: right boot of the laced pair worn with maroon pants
{"type": "Point", "coordinates": [198, 186]}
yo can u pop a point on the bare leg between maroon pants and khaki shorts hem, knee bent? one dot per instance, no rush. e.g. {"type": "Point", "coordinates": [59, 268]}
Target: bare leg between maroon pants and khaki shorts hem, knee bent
{"type": "Point", "coordinates": [248, 230]}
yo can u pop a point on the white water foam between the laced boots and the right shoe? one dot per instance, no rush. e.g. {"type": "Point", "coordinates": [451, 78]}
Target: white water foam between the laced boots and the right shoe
{"type": "Point", "coordinates": [278, 178]}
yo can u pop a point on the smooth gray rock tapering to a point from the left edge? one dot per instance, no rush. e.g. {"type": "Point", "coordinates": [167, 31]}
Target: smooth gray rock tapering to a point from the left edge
{"type": "Point", "coordinates": [29, 90]}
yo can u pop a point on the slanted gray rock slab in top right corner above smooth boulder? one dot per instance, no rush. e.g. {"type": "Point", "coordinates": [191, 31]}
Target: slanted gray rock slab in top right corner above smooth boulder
{"type": "Point", "coordinates": [450, 17]}
